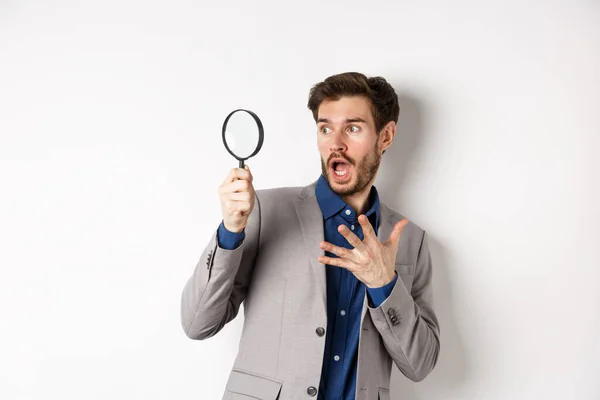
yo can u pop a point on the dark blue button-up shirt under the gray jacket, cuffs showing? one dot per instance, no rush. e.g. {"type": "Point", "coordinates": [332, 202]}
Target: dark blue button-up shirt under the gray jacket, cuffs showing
{"type": "Point", "coordinates": [345, 293]}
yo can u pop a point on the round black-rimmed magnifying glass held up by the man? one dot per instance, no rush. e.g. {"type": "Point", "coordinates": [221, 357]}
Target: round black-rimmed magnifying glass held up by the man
{"type": "Point", "coordinates": [242, 134]}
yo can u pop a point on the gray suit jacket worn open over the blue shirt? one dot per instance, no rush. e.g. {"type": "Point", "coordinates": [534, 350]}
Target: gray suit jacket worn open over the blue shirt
{"type": "Point", "coordinates": [276, 273]}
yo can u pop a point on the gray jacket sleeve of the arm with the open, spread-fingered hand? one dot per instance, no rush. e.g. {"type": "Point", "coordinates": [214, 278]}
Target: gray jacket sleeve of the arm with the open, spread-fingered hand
{"type": "Point", "coordinates": [407, 322]}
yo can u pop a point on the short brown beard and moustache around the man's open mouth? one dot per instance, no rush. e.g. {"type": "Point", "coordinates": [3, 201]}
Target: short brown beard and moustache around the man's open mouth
{"type": "Point", "coordinates": [365, 171]}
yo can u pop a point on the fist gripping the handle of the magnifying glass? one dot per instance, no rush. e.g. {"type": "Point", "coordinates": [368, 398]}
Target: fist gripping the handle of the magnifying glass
{"type": "Point", "coordinates": [237, 199]}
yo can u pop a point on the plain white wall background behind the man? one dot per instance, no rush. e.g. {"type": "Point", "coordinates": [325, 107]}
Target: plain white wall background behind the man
{"type": "Point", "coordinates": [111, 155]}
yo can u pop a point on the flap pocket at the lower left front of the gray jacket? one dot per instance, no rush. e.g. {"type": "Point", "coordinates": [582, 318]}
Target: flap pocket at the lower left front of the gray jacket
{"type": "Point", "coordinates": [252, 386]}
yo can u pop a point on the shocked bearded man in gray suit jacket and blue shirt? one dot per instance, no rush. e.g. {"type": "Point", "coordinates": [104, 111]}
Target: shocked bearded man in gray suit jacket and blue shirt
{"type": "Point", "coordinates": [335, 284]}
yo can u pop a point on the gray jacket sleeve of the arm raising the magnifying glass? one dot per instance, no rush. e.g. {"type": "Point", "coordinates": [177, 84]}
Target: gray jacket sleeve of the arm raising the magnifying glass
{"type": "Point", "coordinates": [212, 295]}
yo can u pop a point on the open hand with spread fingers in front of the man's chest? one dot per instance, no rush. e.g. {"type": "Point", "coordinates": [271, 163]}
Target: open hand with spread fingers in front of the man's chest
{"type": "Point", "coordinates": [371, 261]}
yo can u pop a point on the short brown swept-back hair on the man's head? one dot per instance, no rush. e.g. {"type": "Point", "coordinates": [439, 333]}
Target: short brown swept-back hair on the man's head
{"type": "Point", "coordinates": [383, 98]}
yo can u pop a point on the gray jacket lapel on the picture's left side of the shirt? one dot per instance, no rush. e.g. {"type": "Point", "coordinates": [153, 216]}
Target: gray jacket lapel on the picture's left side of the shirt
{"type": "Point", "coordinates": [311, 225]}
